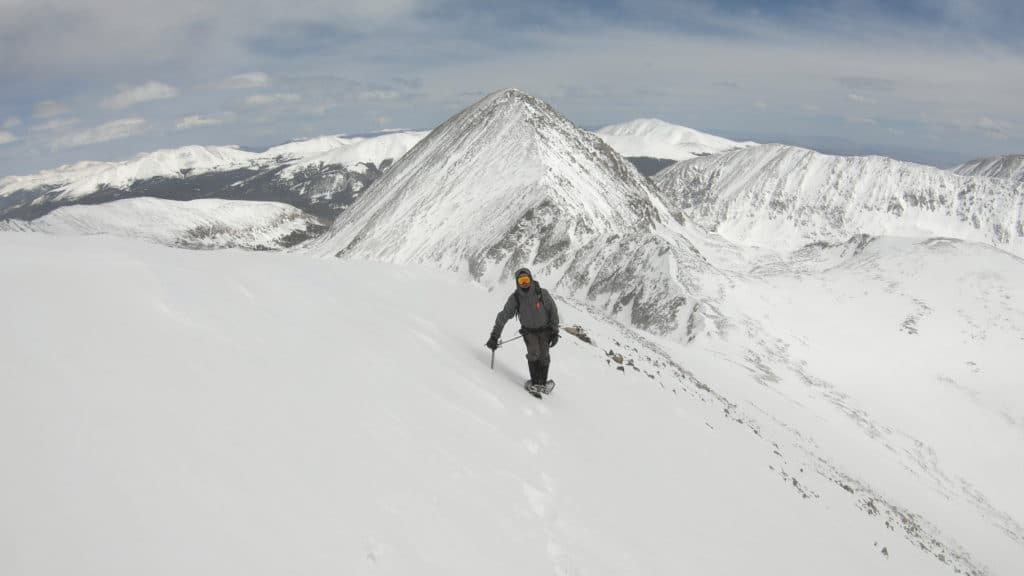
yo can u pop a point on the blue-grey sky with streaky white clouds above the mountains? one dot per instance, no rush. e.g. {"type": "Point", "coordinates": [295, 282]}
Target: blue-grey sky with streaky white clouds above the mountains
{"type": "Point", "coordinates": [937, 81]}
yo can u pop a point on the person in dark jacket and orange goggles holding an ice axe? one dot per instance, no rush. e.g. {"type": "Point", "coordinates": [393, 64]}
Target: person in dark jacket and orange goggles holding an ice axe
{"type": "Point", "coordinates": [539, 319]}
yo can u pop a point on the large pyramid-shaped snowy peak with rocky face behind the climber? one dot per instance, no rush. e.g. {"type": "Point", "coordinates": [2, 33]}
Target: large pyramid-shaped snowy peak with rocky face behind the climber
{"type": "Point", "coordinates": [510, 183]}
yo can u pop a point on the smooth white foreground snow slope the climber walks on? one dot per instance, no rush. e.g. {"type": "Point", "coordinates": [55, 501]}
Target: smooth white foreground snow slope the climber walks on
{"type": "Point", "coordinates": [292, 415]}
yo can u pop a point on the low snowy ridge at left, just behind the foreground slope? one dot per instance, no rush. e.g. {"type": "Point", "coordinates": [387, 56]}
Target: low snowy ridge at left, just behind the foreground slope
{"type": "Point", "coordinates": [196, 224]}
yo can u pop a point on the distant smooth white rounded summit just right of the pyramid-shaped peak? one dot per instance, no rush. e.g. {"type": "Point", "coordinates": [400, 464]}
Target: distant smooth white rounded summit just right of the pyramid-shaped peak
{"type": "Point", "coordinates": [656, 139]}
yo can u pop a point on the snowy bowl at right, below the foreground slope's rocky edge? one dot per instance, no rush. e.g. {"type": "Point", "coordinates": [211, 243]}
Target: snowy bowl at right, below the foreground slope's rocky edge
{"type": "Point", "coordinates": [893, 355]}
